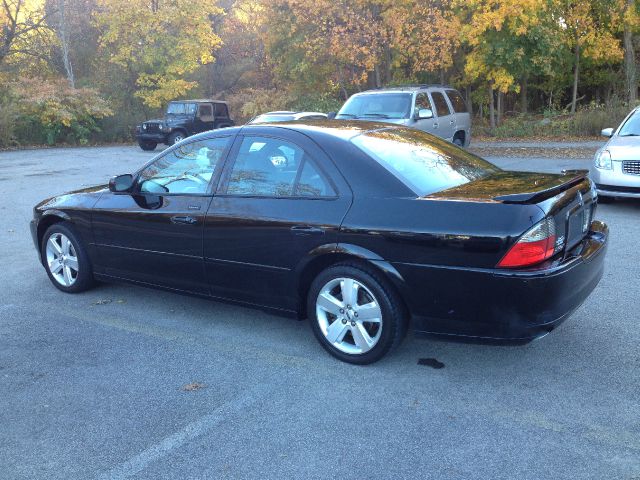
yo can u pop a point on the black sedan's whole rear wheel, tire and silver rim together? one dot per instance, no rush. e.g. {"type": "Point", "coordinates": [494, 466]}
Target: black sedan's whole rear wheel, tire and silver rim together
{"type": "Point", "coordinates": [346, 341]}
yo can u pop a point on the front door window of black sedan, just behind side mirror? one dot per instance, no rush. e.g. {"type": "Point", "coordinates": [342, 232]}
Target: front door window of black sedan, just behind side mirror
{"type": "Point", "coordinates": [187, 169]}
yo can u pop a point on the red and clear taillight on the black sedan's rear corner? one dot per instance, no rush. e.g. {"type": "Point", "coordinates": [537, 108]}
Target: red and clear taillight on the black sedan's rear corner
{"type": "Point", "coordinates": [535, 246]}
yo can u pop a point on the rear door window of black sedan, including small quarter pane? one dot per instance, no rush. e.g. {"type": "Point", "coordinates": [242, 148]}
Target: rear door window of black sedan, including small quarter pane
{"type": "Point", "coordinates": [273, 167]}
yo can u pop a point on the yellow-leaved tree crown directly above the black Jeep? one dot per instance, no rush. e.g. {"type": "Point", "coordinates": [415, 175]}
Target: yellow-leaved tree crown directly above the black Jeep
{"type": "Point", "coordinates": [158, 42]}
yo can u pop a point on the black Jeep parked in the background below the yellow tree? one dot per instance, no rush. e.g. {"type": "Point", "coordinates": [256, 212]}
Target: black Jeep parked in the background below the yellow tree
{"type": "Point", "coordinates": [183, 118]}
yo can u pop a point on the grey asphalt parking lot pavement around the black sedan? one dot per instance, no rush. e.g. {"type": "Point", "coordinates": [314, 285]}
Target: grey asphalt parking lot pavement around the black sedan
{"type": "Point", "coordinates": [126, 382]}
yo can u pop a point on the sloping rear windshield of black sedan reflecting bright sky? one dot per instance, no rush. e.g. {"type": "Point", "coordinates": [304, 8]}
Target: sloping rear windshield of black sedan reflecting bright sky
{"type": "Point", "coordinates": [422, 162]}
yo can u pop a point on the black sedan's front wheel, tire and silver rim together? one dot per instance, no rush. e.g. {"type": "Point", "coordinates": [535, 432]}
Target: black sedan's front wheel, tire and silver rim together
{"type": "Point", "coordinates": [67, 279]}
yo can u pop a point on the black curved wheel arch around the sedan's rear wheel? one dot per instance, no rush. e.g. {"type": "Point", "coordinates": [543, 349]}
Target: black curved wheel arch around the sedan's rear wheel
{"type": "Point", "coordinates": [325, 256]}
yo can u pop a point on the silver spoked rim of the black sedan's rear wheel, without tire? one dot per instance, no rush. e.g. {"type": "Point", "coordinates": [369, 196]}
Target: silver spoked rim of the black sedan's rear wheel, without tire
{"type": "Point", "coordinates": [349, 316]}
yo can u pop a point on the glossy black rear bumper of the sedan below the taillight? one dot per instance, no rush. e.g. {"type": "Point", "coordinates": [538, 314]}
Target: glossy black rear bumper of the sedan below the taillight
{"type": "Point", "coordinates": [504, 305]}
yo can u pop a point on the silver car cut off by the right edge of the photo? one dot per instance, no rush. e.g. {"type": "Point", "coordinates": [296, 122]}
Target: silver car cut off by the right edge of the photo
{"type": "Point", "coordinates": [616, 167]}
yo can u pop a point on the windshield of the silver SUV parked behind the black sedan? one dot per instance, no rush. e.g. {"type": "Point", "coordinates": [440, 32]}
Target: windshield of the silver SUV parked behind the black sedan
{"type": "Point", "coordinates": [378, 105]}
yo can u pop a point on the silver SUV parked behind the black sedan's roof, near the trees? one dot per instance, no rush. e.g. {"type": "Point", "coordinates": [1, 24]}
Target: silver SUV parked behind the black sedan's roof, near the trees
{"type": "Point", "coordinates": [435, 109]}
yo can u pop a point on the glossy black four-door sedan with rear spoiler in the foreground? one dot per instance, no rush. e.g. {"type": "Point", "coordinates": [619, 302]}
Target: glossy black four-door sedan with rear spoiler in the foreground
{"type": "Point", "coordinates": [367, 229]}
